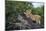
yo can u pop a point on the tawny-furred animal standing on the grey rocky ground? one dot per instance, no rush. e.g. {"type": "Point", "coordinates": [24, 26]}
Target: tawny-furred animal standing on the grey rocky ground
{"type": "Point", "coordinates": [36, 18]}
